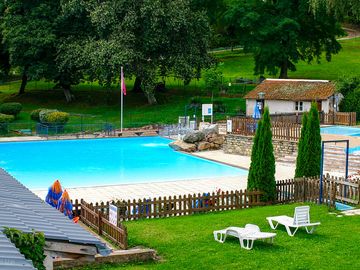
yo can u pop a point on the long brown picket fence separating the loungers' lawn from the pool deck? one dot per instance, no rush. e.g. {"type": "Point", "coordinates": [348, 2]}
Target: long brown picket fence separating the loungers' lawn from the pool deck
{"type": "Point", "coordinates": [292, 190]}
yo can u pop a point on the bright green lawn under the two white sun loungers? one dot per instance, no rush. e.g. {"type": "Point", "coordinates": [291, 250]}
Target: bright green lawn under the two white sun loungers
{"type": "Point", "coordinates": [187, 242]}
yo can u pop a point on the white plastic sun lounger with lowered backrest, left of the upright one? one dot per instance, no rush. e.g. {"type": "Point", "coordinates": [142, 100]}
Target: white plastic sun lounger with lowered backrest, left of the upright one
{"type": "Point", "coordinates": [246, 235]}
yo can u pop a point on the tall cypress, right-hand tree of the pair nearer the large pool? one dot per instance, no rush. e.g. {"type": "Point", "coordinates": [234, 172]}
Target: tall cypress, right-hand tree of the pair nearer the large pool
{"type": "Point", "coordinates": [265, 154]}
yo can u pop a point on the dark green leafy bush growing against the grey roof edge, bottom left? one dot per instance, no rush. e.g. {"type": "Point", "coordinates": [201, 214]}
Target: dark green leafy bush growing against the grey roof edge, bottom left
{"type": "Point", "coordinates": [31, 245]}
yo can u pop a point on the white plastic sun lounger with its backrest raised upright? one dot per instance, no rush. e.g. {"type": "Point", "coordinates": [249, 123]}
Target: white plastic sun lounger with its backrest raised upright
{"type": "Point", "coordinates": [301, 219]}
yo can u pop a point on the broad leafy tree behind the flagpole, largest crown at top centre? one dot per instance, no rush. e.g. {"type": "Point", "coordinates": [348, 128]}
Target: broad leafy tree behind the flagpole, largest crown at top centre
{"type": "Point", "coordinates": [150, 38]}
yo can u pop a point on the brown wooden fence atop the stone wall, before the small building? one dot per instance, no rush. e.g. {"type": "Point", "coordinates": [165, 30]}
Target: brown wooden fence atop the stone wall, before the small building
{"type": "Point", "coordinates": [280, 130]}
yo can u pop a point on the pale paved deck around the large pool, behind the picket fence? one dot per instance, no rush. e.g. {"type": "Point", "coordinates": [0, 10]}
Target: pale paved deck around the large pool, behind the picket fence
{"type": "Point", "coordinates": [171, 188]}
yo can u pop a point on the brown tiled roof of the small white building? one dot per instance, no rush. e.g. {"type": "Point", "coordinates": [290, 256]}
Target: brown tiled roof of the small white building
{"type": "Point", "coordinates": [295, 90]}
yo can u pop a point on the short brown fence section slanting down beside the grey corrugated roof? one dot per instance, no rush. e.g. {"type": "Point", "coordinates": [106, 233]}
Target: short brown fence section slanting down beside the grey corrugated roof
{"type": "Point", "coordinates": [99, 223]}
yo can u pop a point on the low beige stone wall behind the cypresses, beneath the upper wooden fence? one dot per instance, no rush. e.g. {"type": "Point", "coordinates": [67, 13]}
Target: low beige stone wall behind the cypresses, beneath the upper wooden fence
{"type": "Point", "coordinates": [242, 145]}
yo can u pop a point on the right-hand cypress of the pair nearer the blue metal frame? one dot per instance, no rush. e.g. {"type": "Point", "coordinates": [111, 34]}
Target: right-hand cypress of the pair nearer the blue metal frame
{"type": "Point", "coordinates": [312, 144]}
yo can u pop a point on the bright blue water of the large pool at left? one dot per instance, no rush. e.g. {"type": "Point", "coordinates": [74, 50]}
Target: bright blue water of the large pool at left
{"type": "Point", "coordinates": [78, 163]}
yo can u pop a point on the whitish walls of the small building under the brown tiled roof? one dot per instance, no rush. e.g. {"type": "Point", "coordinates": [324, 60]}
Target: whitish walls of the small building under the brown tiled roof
{"type": "Point", "coordinates": [283, 106]}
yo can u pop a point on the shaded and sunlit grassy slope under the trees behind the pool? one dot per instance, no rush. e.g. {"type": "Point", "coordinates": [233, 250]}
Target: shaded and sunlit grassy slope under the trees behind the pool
{"type": "Point", "coordinates": [103, 105]}
